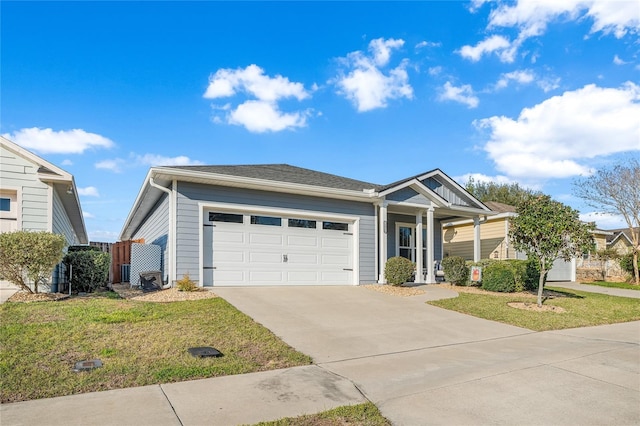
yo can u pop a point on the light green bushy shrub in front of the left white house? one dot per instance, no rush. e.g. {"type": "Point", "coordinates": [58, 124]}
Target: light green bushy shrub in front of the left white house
{"type": "Point", "coordinates": [29, 257]}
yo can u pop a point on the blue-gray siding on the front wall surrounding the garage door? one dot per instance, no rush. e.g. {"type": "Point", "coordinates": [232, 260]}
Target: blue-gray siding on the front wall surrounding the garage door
{"type": "Point", "coordinates": [188, 226]}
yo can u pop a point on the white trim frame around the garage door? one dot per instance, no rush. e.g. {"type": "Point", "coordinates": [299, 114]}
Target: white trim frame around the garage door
{"type": "Point", "coordinates": [286, 212]}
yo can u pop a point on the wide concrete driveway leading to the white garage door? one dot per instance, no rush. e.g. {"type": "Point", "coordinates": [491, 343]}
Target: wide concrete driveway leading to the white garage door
{"type": "Point", "coordinates": [424, 365]}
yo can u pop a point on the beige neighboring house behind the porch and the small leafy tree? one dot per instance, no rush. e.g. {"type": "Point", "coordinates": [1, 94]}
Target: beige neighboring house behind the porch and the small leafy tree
{"type": "Point", "coordinates": [458, 236]}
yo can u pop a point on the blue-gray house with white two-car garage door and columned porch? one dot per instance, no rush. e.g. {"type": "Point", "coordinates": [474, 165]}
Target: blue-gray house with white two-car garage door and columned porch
{"type": "Point", "coordinates": [279, 224]}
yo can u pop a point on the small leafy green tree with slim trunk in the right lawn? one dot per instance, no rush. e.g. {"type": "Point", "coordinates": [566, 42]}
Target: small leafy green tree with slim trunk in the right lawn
{"type": "Point", "coordinates": [547, 230]}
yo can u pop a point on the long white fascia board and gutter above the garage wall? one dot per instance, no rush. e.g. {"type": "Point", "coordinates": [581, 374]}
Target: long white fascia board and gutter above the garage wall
{"type": "Point", "coordinates": [264, 184]}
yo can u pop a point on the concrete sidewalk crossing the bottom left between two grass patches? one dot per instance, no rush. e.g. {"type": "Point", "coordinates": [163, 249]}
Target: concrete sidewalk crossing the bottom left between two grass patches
{"type": "Point", "coordinates": [229, 400]}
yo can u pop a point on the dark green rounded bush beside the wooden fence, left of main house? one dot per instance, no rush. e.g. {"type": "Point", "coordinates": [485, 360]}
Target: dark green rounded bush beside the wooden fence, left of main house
{"type": "Point", "coordinates": [89, 269]}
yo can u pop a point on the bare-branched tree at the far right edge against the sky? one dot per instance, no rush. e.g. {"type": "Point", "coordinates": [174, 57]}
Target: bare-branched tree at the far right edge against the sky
{"type": "Point", "coordinates": [616, 190]}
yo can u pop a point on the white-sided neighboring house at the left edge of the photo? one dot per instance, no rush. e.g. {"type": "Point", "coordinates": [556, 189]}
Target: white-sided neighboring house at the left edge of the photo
{"type": "Point", "coordinates": [35, 195]}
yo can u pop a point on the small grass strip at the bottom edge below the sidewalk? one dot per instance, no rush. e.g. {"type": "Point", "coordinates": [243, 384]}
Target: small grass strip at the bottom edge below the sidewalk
{"type": "Point", "coordinates": [356, 415]}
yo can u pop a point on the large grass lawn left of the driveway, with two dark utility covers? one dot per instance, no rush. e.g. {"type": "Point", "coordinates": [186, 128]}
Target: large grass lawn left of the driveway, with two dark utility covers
{"type": "Point", "coordinates": [139, 343]}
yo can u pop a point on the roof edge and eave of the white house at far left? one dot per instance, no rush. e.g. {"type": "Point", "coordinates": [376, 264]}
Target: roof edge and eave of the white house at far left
{"type": "Point", "coordinates": [61, 181]}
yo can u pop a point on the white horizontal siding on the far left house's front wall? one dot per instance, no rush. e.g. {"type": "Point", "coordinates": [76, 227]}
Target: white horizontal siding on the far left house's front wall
{"type": "Point", "coordinates": [18, 173]}
